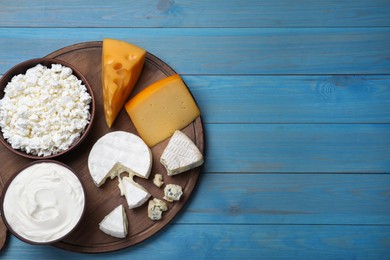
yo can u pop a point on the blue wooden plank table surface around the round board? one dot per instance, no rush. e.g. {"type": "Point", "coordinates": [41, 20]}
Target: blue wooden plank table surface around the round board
{"type": "Point", "coordinates": [295, 97]}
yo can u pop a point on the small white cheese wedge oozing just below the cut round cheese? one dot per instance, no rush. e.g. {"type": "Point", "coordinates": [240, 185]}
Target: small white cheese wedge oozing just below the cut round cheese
{"type": "Point", "coordinates": [135, 194]}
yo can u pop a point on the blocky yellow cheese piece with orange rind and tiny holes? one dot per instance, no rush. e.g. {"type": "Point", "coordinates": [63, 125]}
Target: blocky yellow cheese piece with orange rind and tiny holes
{"type": "Point", "coordinates": [161, 108]}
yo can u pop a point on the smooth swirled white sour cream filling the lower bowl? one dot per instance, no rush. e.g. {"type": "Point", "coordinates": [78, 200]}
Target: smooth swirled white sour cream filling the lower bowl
{"type": "Point", "coordinates": [44, 202]}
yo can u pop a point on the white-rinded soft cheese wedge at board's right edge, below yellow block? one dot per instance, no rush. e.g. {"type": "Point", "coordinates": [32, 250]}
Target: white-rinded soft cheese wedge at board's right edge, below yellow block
{"type": "Point", "coordinates": [181, 154]}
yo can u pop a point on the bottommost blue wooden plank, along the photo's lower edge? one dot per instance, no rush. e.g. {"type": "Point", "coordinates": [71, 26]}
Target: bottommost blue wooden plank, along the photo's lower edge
{"type": "Point", "coordinates": [239, 241]}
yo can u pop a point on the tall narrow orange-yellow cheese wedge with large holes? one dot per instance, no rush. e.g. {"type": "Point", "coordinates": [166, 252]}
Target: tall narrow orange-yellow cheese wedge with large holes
{"type": "Point", "coordinates": [122, 64]}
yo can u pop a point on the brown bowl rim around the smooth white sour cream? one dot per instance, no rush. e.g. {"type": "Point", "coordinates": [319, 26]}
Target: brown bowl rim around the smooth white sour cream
{"type": "Point", "coordinates": [8, 183]}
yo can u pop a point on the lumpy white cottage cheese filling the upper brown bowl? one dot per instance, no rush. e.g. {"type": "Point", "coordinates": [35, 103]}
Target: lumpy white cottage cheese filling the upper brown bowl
{"type": "Point", "coordinates": [44, 111]}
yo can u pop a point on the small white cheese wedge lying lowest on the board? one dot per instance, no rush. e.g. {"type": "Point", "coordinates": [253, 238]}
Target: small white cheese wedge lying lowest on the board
{"type": "Point", "coordinates": [115, 223]}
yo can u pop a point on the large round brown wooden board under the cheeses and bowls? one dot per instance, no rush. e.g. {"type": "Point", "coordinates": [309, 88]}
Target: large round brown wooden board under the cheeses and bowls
{"type": "Point", "coordinates": [87, 237]}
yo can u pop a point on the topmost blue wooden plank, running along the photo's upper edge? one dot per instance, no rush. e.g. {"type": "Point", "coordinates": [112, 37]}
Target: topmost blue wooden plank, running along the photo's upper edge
{"type": "Point", "coordinates": [186, 13]}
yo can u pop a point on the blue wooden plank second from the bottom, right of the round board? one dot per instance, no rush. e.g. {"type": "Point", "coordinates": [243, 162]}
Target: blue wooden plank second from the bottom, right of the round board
{"type": "Point", "coordinates": [283, 199]}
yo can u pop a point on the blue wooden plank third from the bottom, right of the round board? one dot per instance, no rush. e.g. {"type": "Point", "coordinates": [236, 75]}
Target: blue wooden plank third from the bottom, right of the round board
{"type": "Point", "coordinates": [295, 148]}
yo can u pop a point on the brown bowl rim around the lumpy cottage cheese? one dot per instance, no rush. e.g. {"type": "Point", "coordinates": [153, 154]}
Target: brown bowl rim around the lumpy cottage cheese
{"type": "Point", "coordinates": [22, 68]}
